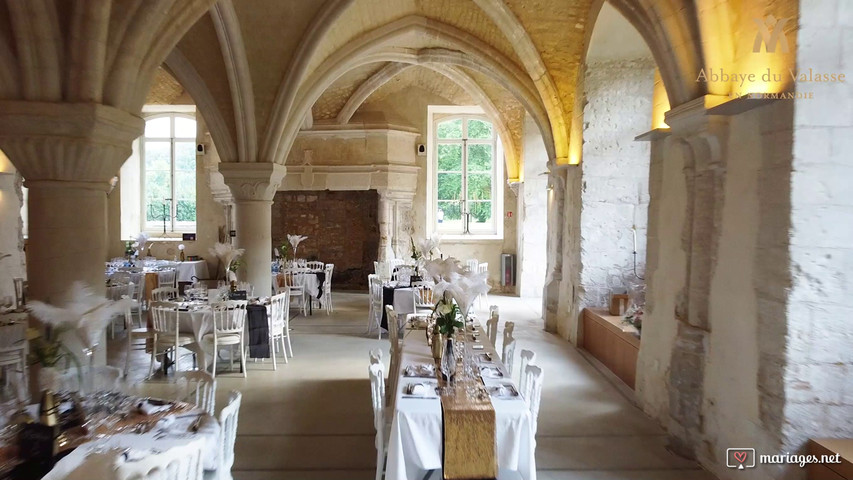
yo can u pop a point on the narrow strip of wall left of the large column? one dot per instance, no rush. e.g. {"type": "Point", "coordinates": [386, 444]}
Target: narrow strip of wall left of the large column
{"type": "Point", "coordinates": [11, 237]}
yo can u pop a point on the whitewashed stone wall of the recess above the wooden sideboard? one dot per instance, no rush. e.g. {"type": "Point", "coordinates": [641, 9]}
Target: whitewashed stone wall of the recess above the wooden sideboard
{"type": "Point", "coordinates": [615, 175]}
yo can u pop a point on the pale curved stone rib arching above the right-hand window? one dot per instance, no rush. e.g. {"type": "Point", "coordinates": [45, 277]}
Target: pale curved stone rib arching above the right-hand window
{"type": "Point", "coordinates": [454, 74]}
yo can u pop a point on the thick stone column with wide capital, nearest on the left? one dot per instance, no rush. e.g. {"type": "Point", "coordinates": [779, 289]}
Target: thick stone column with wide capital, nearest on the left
{"type": "Point", "coordinates": [67, 154]}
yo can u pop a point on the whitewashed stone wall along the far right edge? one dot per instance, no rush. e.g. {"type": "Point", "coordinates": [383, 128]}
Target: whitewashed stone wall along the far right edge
{"type": "Point", "coordinates": [818, 362]}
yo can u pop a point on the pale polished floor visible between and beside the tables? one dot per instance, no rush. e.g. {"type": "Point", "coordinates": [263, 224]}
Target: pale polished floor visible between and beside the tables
{"type": "Point", "coordinates": [311, 419]}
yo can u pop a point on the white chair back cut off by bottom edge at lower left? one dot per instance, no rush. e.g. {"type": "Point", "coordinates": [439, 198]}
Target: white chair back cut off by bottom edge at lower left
{"type": "Point", "coordinates": [182, 462]}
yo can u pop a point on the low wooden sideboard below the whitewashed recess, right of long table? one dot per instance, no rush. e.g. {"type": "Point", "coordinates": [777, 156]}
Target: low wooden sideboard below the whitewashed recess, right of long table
{"type": "Point", "coordinates": [612, 342]}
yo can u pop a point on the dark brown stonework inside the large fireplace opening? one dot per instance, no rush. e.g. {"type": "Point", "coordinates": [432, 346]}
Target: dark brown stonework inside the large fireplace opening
{"type": "Point", "coordinates": [342, 228]}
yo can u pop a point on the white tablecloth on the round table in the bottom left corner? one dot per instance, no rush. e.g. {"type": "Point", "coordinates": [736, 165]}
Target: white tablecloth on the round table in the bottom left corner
{"type": "Point", "coordinates": [96, 459]}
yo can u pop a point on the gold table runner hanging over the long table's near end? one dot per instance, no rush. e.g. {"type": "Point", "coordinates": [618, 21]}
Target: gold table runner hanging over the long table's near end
{"type": "Point", "coordinates": [469, 435]}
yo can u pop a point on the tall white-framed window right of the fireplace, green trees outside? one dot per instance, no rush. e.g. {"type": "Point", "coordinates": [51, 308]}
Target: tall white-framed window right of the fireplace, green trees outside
{"type": "Point", "coordinates": [466, 173]}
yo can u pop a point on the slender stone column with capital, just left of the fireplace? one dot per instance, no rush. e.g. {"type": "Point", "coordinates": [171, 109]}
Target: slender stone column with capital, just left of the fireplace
{"type": "Point", "coordinates": [253, 185]}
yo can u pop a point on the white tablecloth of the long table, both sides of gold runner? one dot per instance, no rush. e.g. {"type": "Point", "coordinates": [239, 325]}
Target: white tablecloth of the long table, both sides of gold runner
{"type": "Point", "coordinates": [416, 440]}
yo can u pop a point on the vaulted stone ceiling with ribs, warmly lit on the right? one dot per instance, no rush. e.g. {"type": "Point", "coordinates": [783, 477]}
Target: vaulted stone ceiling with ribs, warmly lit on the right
{"type": "Point", "coordinates": [258, 69]}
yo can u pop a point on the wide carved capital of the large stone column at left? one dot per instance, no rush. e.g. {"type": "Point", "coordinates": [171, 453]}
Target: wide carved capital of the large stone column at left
{"type": "Point", "coordinates": [78, 142]}
